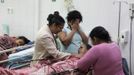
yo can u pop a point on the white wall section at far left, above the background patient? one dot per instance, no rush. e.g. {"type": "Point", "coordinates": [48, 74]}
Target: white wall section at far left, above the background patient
{"type": "Point", "coordinates": [20, 16]}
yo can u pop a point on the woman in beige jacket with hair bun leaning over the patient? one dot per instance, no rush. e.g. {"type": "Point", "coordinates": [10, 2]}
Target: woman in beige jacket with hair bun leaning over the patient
{"type": "Point", "coordinates": [45, 44]}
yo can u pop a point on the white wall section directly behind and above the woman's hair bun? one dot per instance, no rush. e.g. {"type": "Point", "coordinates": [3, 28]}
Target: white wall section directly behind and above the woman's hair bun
{"type": "Point", "coordinates": [48, 7]}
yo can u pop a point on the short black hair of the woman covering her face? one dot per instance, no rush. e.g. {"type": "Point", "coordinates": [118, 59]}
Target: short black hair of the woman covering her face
{"type": "Point", "coordinates": [73, 15]}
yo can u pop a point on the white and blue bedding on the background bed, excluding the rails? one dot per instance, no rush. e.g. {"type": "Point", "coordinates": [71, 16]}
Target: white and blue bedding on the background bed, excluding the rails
{"type": "Point", "coordinates": [20, 59]}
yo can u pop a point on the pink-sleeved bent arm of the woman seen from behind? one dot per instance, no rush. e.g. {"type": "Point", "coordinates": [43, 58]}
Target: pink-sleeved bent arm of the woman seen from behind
{"type": "Point", "coordinates": [88, 60]}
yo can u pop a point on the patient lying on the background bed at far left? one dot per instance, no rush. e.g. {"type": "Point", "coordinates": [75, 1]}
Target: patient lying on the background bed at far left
{"type": "Point", "coordinates": [7, 42]}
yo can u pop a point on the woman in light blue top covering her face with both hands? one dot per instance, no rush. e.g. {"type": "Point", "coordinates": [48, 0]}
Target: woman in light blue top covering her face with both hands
{"type": "Point", "coordinates": [72, 36]}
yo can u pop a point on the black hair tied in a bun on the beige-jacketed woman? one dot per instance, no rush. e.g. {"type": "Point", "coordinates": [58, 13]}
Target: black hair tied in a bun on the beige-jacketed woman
{"type": "Point", "coordinates": [55, 18]}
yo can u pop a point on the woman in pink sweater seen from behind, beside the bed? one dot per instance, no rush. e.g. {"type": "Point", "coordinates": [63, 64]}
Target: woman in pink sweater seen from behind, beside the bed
{"type": "Point", "coordinates": [104, 56]}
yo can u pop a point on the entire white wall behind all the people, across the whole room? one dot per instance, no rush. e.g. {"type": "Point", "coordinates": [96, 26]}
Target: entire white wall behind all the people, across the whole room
{"type": "Point", "coordinates": [30, 15]}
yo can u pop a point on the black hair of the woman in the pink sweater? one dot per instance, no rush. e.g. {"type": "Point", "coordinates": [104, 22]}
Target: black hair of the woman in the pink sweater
{"type": "Point", "coordinates": [100, 33]}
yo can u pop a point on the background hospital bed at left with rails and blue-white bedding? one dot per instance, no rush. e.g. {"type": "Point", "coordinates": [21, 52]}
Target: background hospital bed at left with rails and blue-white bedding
{"type": "Point", "coordinates": [24, 55]}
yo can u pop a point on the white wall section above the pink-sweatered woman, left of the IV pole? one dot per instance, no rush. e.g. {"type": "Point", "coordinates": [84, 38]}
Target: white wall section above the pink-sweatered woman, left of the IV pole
{"type": "Point", "coordinates": [96, 13]}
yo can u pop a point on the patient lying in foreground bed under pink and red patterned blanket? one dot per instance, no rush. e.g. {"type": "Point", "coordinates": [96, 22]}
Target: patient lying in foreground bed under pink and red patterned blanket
{"type": "Point", "coordinates": [47, 67]}
